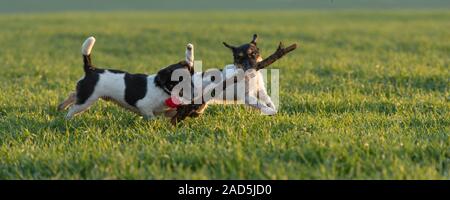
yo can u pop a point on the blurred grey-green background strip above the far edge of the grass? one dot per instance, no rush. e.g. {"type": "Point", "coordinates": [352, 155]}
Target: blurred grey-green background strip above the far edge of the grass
{"type": "Point", "coordinates": [107, 5]}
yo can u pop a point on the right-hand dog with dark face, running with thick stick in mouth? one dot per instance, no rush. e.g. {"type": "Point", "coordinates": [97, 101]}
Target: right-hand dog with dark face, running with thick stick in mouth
{"type": "Point", "coordinates": [246, 57]}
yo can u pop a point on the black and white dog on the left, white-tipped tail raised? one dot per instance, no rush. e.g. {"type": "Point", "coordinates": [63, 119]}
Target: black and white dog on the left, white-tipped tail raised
{"type": "Point", "coordinates": [143, 94]}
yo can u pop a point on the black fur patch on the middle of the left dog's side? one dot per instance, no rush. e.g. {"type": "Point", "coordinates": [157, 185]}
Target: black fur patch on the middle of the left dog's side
{"type": "Point", "coordinates": [135, 87]}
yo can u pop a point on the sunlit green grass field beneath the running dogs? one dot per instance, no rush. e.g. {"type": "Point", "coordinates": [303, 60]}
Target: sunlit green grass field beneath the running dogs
{"type": "Point", "coordinates": [365, 97]}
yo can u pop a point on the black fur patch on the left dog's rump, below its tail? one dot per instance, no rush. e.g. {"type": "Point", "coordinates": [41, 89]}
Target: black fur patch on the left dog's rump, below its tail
{"type": "Point", "coordinates": [86, 86]}
